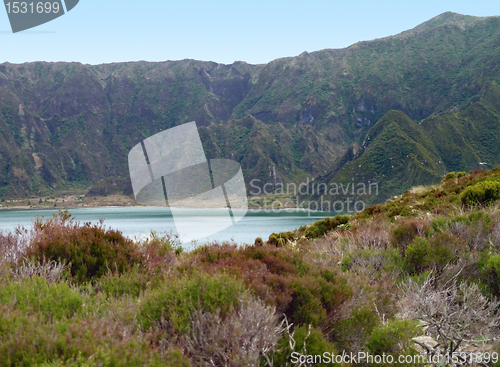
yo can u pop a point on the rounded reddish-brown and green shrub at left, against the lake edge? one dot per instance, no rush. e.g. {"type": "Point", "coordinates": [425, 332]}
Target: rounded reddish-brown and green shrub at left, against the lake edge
{"type": "Point", "coordinates": [90, 250]}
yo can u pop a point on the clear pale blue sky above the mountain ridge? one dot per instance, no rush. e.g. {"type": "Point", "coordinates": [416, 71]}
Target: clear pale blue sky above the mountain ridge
{"type": "Point", "coordinates": [100, 31]}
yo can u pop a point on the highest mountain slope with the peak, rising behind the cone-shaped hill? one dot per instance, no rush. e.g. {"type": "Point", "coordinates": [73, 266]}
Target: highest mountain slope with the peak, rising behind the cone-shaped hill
{"type": "Point", "coordinates": [440, 64]}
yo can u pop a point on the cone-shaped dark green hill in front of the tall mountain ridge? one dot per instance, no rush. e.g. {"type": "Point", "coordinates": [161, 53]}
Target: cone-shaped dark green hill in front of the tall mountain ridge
{"type": "Point", "coordinates": [395, 154]}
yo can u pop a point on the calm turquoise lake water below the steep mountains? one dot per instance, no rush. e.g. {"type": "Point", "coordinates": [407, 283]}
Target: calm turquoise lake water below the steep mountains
{"type": "Point", "coordinates": [138, 222]}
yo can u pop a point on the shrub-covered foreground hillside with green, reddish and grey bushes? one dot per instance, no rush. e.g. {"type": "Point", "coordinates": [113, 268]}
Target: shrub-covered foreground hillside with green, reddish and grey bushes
{"type": "Point", "coordinates": [413, 276]}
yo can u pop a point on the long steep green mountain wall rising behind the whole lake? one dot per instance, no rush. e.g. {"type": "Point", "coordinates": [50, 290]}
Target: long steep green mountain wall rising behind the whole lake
{"type": "Point", "coordinates": [67, 125]}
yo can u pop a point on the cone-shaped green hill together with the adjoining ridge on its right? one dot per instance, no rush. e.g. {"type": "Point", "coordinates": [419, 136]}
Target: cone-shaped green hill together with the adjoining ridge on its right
{"type": "Point", "coordinates": [399, 153]}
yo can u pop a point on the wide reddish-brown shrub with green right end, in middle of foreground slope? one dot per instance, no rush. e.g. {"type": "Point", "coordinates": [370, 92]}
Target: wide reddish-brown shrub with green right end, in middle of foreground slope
{"type": "Point", "coordinates": [281, 278]}
